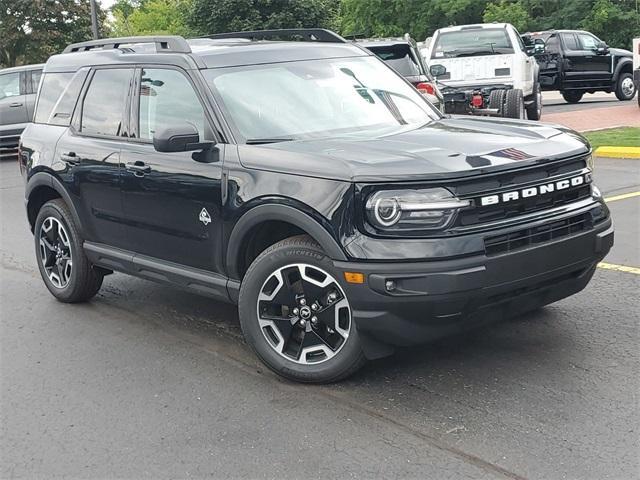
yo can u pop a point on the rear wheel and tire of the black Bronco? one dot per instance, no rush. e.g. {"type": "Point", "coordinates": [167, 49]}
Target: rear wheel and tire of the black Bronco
{"type": "Point", "coordinates": [64, 267]}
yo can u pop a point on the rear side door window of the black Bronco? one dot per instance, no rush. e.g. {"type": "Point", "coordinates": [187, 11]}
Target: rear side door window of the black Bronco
{"type": "Point", "coordinates": [104, 103]}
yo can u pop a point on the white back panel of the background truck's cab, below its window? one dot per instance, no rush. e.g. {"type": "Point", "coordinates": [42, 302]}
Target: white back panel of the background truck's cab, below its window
{"type": "Point", "coordinates": [478, 69]}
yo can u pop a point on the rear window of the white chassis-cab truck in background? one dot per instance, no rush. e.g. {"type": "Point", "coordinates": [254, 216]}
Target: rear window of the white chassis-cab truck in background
{"type": "Point", "coordinates": [468, 43]}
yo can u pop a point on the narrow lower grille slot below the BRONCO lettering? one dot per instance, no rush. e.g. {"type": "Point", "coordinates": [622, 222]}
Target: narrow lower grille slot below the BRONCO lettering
{"type": "Point", "coordinates": [536, 235]}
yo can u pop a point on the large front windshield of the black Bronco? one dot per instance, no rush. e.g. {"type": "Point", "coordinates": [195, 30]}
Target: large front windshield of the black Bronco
{"type": "Point", "coordinates": [318, 98]}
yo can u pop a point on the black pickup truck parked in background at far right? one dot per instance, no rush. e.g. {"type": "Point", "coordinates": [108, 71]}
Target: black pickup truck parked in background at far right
{"type": "Point", "coordinates": [577, 62]}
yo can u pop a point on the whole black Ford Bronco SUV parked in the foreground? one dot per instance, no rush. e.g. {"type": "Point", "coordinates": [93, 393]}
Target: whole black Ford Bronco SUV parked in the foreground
{"type": "Point", "coordinates": [307, 182]}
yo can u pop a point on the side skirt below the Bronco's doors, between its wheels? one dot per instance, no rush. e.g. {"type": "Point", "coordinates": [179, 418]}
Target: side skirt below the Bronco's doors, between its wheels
{"type": "Point", "coordinates": [193, 279]}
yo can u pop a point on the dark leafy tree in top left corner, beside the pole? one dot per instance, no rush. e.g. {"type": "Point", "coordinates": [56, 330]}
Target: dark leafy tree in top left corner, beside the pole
{"type": "Point", "coordinates": [32, 30]}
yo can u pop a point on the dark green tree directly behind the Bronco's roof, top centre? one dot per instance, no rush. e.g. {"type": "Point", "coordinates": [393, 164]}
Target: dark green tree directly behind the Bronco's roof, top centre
{"type": "Point", "coordinates": [214, 16]}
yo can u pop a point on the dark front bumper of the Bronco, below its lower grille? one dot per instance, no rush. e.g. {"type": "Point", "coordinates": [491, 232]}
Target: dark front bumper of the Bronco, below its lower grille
{"type": "Point", "coordinates": [432, 299]}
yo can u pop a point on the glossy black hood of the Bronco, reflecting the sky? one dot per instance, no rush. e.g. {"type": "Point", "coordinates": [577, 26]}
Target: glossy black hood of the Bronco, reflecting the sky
{"type": "Point", "coordinates": [447, 148]}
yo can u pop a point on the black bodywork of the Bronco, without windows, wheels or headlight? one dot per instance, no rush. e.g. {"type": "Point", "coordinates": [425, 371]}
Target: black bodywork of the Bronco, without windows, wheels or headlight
{"type": "Point", "coordinates": [189, 218]}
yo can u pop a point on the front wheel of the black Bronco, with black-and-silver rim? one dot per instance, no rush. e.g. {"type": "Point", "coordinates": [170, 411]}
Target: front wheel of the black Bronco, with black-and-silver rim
{"type": "Point", "coordinates": [296, 316]}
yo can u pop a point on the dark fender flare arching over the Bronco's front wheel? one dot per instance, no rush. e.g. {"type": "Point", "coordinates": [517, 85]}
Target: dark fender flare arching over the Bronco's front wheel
{"type": "Point", "coordinates": [283, 213]}
